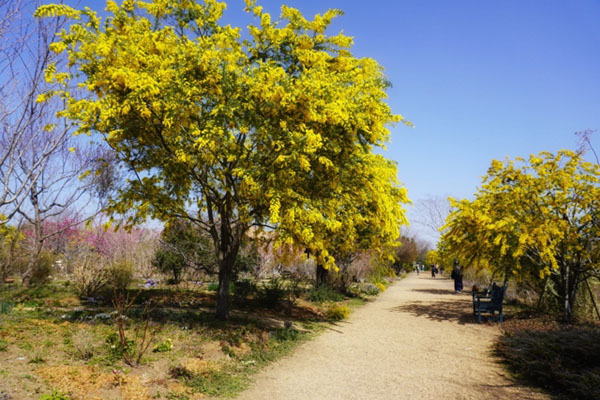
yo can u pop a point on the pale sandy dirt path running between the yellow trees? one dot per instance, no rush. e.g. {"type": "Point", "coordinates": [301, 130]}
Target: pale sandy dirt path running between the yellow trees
{"type": "Point", "coordinates": [416, 341]}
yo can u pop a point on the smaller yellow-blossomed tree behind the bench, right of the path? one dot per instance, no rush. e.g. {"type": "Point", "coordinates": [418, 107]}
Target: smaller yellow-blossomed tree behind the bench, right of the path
{"type": "Point", "coordinates": [533, 219]}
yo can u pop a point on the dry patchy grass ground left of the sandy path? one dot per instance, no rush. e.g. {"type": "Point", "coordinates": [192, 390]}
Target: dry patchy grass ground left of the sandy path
{"type": "Point", "coordinates": [53, 341]}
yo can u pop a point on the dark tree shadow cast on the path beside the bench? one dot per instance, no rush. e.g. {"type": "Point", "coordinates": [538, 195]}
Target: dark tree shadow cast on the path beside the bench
{"type": "Point", "coordinates": [448, 310]}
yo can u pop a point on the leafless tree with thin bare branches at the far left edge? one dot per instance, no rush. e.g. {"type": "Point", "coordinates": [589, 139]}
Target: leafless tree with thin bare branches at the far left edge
{"type": "Point", "coordinates": [42, 166]}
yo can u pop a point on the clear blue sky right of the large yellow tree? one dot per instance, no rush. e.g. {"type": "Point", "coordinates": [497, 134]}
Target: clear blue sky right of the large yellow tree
{"type": "Point", "coordinates": [479, 79]}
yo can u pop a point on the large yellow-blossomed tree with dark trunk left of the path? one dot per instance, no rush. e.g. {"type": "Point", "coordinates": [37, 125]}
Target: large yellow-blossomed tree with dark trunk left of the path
{"type": "Point", "coordinates": [274, 131]}
